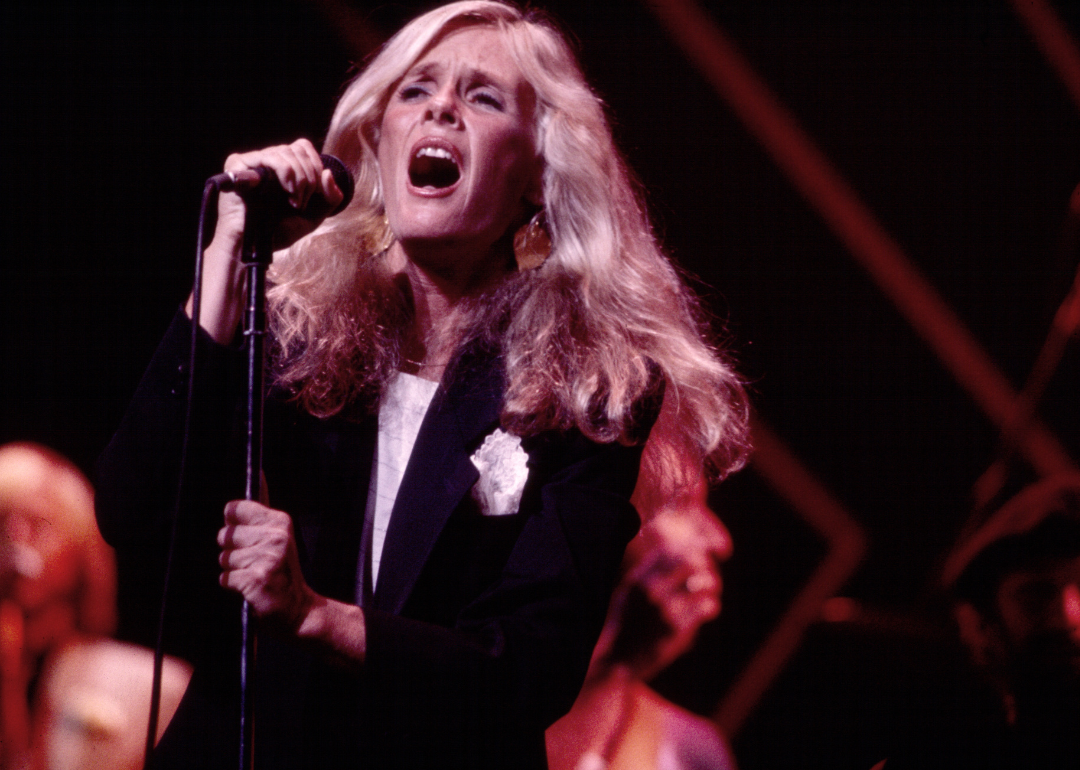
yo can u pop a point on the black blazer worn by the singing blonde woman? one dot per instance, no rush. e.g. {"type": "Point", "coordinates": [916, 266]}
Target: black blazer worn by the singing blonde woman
{"type": "Point", "coordinates": [481, 628]}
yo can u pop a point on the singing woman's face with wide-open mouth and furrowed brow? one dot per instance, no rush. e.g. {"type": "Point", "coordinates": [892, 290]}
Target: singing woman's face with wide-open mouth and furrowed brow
{"type": "Point", "coordinates": [456, 148]}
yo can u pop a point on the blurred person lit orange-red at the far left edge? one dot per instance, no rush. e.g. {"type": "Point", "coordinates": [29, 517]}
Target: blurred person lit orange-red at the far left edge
{"type": "Point", "coordinates": [71, 697]}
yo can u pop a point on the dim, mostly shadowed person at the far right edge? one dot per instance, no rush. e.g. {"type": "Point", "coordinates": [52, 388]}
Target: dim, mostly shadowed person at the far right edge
{"type": "Point", "coordinates": [1015, 587]}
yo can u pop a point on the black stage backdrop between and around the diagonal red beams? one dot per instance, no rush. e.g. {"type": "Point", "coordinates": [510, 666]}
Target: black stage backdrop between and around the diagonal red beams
{"type": "Point", "coordinates": [943, 116]}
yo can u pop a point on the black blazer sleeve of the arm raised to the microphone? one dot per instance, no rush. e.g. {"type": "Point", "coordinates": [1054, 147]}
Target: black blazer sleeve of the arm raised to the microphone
{"type": "Point", "coordinates": [137, 489]}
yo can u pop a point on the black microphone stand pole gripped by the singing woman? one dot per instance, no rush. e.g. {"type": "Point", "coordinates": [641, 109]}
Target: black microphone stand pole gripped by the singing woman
{"type": "Point", "coordinates": [256, 256]}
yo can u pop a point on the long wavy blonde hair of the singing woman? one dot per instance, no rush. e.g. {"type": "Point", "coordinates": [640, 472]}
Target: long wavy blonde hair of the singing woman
{"type": "Point", "coordinates": [584, 337]}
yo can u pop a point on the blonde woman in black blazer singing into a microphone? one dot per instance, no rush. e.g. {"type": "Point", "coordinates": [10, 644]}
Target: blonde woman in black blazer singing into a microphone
{"type": "Point", "coordinates": [467, 361]}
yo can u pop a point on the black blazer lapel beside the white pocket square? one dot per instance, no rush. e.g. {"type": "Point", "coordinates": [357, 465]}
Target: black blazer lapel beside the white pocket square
{"type": "Point", "coordinates": [439, 476]}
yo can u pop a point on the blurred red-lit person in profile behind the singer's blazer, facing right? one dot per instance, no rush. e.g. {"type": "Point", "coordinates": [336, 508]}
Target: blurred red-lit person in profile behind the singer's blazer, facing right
{"type": "Point", "coordinates": [670, 588]}
